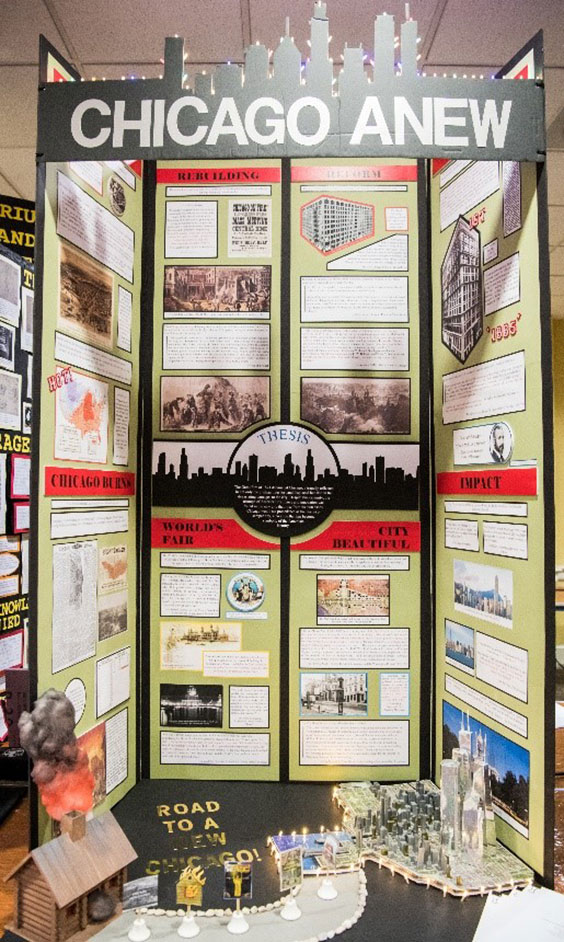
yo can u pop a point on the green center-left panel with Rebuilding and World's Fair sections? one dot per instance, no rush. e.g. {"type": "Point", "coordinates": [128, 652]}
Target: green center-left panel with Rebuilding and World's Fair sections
{"type": "Point", "coordinates": [215, 582]}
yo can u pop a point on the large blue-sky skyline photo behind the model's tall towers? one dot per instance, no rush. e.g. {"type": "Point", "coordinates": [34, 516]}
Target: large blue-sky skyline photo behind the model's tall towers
{"type": "Point", "coordinates": [509, 766]}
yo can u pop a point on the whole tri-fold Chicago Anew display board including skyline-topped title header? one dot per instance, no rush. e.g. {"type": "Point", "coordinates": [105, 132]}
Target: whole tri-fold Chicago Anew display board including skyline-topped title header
{"type": "Point", "coordinates": [234, 452]}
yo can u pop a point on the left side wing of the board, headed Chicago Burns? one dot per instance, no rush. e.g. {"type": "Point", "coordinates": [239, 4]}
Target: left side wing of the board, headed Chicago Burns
{"type": "Point", "coordinates": [87, 441]}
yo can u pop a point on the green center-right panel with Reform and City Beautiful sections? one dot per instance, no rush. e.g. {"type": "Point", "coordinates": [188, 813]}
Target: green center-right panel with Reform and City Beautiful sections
{"type": "Point", "coordinates": [355, 614]}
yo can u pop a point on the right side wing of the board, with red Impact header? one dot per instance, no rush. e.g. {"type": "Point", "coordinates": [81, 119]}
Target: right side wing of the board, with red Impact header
{"type": "Point", "coordinates": [490, 462]}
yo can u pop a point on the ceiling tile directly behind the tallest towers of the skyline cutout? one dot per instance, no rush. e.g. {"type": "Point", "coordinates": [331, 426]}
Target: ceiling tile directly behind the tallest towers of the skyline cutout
{"type": "Point", "coordinates": [352, 24]}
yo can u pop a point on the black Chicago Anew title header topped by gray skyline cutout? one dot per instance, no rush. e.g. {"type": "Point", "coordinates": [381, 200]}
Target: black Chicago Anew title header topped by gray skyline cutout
{"type": "Point", "coordinates": [278, 105]}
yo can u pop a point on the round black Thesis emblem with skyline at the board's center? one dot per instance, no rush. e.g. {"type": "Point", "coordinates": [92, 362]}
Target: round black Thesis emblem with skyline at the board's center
{"type": "Point", "coordinates": [283, 478]}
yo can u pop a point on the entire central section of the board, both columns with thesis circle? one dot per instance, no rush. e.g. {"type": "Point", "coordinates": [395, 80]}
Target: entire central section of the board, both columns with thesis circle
{"type": "Point", "coordinates": [257, 440]}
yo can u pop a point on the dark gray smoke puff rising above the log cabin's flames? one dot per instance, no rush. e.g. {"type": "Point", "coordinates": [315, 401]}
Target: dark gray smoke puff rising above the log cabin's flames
{"type": "Point", "coordinates": [47, 735]}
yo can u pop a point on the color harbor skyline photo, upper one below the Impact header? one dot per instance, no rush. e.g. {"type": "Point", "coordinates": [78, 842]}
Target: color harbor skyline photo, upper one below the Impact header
{"type": "Point", "coordinates": [484, 591]}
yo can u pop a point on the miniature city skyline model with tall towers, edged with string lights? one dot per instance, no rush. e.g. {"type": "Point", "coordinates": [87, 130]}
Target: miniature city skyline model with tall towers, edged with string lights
{"type": "Point", "coordinates": [442, 837]}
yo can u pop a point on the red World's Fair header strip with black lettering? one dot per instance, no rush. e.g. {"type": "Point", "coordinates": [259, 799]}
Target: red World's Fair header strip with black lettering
{"type": "Point", "coordinates": [171, 532]}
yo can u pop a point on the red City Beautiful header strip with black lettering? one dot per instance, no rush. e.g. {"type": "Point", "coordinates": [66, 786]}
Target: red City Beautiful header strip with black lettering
{"type": "Point", "coordinates": [390, 536]}
